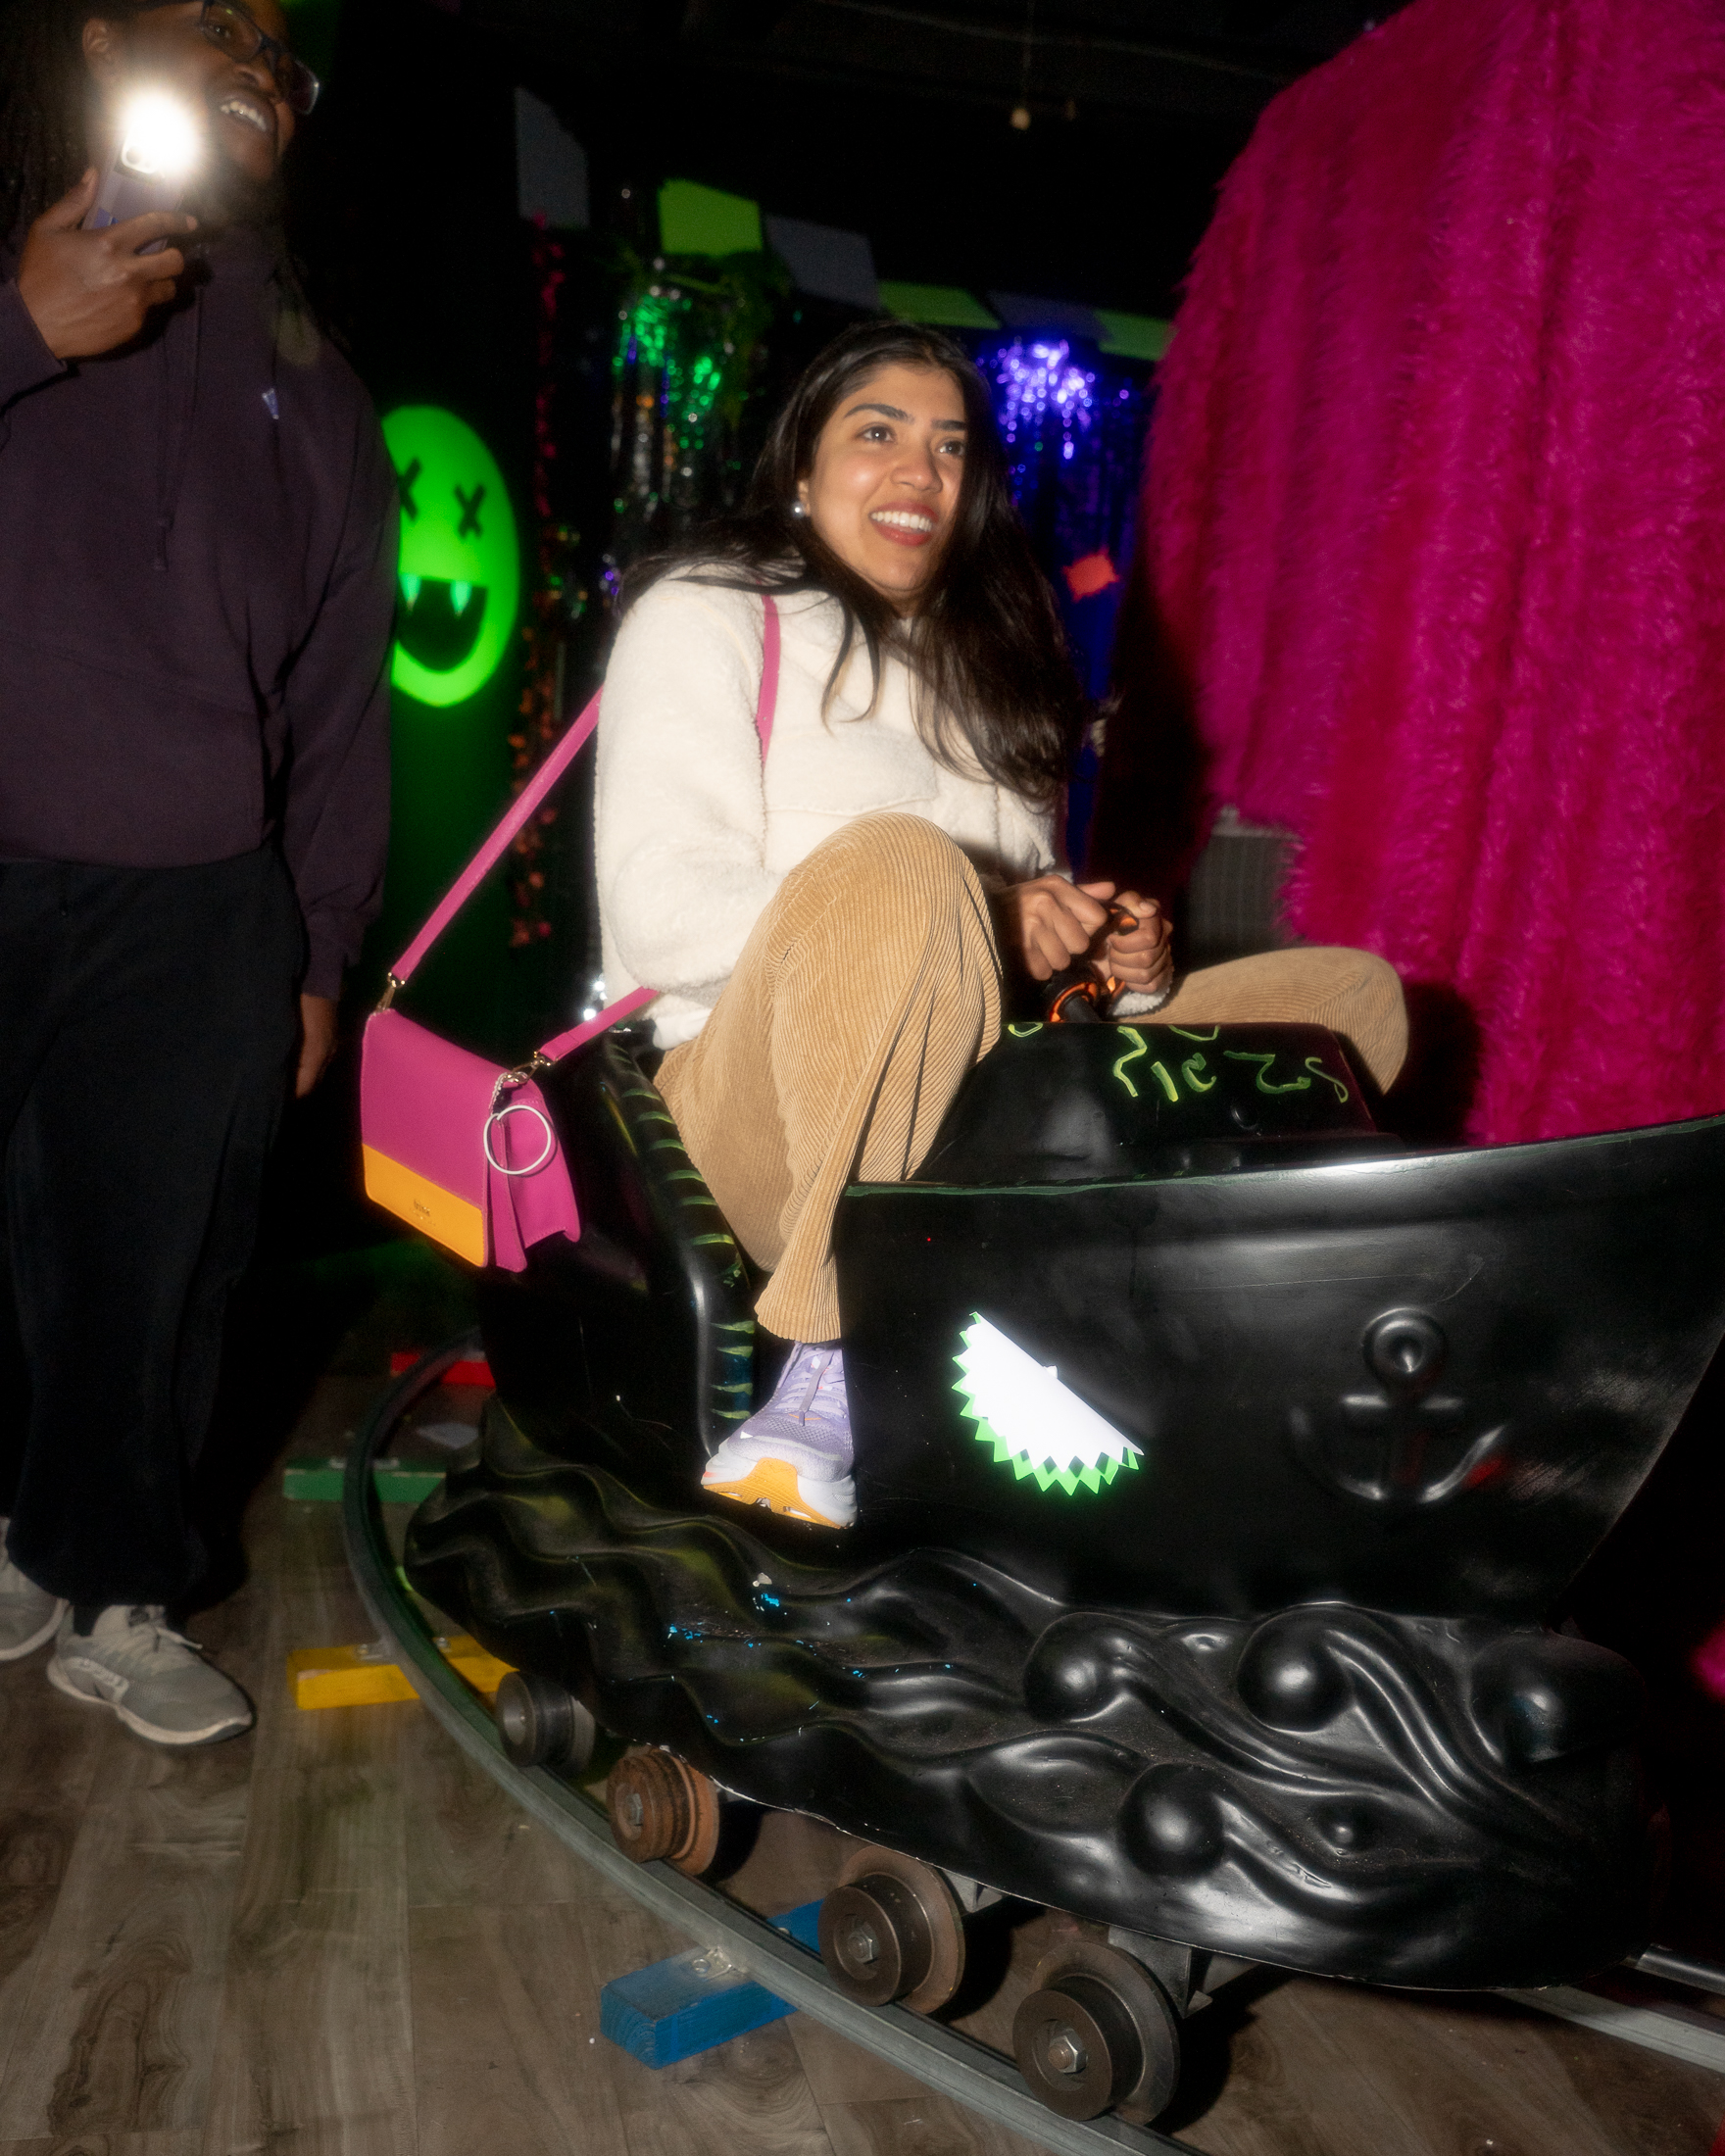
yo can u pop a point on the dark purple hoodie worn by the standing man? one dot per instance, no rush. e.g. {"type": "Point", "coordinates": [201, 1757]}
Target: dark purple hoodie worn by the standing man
{"type": "Point", "coordinates": [197, 585]}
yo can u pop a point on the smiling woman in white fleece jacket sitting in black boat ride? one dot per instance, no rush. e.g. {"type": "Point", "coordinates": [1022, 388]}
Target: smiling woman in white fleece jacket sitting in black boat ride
{"type": "Point", "coordinates": [829, 926]}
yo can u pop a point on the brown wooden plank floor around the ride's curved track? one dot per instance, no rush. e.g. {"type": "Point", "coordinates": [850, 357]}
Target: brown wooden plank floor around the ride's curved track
{"type": "Point", "coordinates": [340, 1939]}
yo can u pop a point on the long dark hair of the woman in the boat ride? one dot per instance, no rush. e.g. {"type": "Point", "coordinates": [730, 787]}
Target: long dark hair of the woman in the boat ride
{"type": "Point", "coordinates": [993, 680]}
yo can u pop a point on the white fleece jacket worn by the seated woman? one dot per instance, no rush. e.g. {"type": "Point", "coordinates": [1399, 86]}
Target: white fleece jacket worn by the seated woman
{"type": "Point", "coordinates": [695, 835]}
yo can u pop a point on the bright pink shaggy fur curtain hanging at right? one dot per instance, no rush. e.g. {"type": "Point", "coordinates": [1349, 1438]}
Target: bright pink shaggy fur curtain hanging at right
{"type": "Point", "coordinates": [1435, 538]}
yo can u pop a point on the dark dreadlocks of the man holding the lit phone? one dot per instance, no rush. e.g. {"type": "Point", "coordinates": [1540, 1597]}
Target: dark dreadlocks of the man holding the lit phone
{"type": "Point", "coordinates": [44, 100]}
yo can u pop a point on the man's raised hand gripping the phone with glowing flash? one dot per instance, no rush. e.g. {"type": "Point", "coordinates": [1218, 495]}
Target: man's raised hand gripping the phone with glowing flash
{"type": "Point", "coordinates": [92, 292]}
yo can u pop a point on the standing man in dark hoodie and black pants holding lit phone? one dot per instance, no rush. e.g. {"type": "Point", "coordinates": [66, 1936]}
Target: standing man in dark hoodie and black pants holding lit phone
{"type": "Point", "coordinates": [197, 583]}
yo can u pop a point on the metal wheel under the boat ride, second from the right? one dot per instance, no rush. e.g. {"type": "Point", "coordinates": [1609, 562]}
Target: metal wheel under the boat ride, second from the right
{"type": "Point", "coordinates": [892, 1929]}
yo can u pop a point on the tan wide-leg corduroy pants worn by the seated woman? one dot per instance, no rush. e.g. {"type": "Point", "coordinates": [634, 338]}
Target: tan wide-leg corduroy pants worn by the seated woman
{"type": "Point", "coordinates": [861, 999]}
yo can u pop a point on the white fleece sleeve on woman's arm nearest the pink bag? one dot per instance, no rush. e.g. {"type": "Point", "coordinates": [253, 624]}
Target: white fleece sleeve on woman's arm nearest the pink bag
{"type": "Point", "coordinates": [680, 790]}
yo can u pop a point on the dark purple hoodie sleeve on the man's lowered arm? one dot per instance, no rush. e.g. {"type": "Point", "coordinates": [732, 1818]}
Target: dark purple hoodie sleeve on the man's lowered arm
{"type": "Point", "coordinates": [337, 803]}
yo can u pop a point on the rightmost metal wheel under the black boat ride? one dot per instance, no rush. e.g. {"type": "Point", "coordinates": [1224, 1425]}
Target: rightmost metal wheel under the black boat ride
{"type": "Point", "coordinates": [1099, 2034]}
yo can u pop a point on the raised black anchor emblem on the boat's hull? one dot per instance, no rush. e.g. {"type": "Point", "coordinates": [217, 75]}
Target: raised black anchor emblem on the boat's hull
{"type": "Point", "coordinates": [1407, 1446]}
